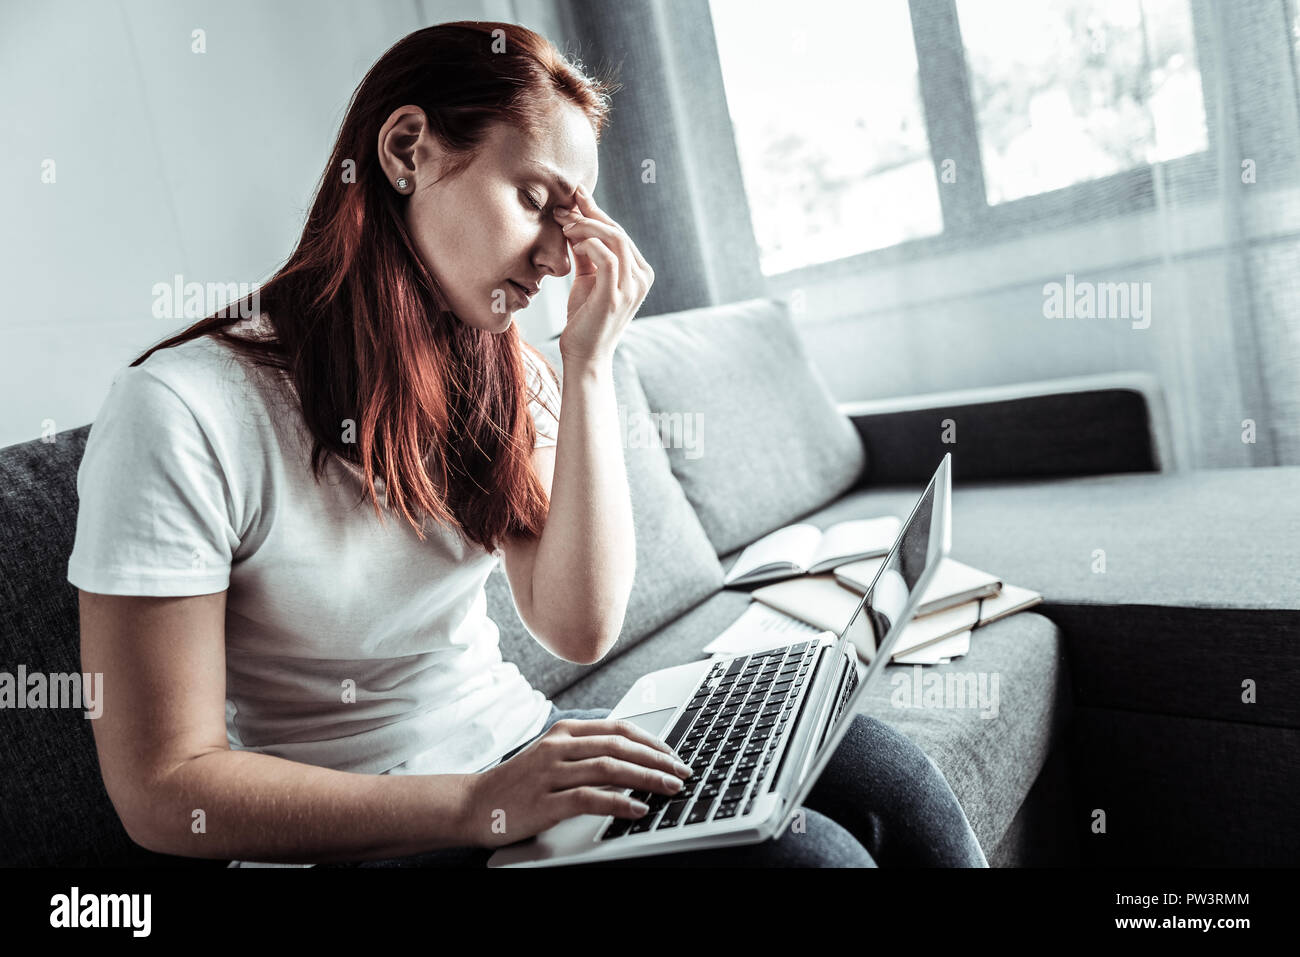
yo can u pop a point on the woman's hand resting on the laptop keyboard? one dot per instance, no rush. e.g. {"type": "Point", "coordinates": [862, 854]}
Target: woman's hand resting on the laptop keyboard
{"type": "Point", "coordinates": [564, 774]}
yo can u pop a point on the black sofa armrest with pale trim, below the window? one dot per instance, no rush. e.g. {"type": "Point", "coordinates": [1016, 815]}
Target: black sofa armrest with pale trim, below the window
{"type": "Point", "coordinates": [1065, 427]}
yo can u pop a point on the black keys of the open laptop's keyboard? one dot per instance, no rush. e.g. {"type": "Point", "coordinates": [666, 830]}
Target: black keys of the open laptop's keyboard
{"type": "Point", "coordinates": [729, 735]}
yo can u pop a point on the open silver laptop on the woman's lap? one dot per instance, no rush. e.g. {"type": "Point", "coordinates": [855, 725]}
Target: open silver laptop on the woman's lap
{"type": "Point", "coordinates": [757, 729]}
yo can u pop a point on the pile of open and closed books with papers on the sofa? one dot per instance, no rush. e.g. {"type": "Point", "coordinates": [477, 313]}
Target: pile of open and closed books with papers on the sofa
{"type": "Point", "coordinates": [820, 582]}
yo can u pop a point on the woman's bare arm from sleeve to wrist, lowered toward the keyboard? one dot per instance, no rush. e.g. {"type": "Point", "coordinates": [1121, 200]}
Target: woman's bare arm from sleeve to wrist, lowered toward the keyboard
{"type": "Point", "coordinates": [162, 742]}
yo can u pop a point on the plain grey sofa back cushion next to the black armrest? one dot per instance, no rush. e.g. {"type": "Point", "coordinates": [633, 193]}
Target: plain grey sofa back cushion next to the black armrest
{"type": "Point", "coordinates": [769, 441]}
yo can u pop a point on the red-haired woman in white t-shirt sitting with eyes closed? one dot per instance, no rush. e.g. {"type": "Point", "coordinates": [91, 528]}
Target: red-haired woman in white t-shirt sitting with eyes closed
{"type": "Point", "coordinates": [294, 678]}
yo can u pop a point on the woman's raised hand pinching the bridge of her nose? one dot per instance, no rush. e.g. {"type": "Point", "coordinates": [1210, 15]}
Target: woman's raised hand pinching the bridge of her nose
{"type": "Point", "coordinates": [612, 282]}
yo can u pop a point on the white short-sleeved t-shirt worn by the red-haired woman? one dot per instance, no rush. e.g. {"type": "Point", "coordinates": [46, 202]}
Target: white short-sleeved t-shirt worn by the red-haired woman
{"type": "Point", "coordinates": [350, 644]}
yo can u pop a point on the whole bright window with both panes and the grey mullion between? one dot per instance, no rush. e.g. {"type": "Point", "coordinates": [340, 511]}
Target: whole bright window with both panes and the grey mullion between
{"type": "Point", "coordinates": [846, 116]}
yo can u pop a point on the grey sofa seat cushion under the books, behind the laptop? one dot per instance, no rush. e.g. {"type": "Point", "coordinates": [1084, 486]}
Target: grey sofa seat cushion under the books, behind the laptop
{"type": "Point", "coordinates": [990, 763]}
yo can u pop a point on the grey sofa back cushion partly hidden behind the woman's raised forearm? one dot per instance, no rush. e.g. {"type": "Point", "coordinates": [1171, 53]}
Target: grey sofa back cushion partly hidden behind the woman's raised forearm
{"type": "Point", "coordinates": [677, 566]}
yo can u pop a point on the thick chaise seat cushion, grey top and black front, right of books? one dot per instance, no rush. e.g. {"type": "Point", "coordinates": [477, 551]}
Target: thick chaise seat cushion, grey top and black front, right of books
{"type": "Point", "coordinates": [1199, 590]}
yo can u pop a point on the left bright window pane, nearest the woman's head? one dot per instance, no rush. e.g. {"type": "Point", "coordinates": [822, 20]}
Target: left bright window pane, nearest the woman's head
{"type": "Point", "coordinates": [829, 127]}
